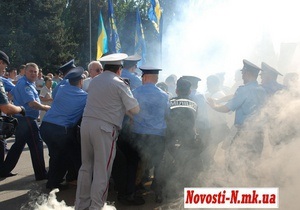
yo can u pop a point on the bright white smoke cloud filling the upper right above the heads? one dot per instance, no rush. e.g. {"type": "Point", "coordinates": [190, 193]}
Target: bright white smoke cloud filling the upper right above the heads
{"type": "Point", "coordinates": [214, 36]}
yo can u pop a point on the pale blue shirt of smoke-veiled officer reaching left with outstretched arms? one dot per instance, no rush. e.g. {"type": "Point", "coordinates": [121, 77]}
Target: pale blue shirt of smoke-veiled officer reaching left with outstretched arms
{"type": "Point", "coordinates": [246, 100]}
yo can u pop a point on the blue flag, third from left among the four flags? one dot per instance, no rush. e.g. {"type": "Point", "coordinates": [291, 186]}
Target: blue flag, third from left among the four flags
{"type": "Point", "coordinates": [139, 42]}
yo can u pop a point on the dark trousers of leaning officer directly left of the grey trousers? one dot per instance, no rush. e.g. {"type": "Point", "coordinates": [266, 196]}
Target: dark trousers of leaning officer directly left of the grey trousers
{"type": "Point", "coordinates": [60, 141]}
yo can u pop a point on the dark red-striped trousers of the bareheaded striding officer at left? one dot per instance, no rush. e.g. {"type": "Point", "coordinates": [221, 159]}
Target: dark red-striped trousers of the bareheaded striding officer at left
{"type": "Point", "coordinates": [27, 132]}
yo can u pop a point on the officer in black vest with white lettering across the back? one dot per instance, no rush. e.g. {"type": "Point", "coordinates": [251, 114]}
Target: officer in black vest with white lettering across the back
{"type": "Point", "coordinates": [180, 140]}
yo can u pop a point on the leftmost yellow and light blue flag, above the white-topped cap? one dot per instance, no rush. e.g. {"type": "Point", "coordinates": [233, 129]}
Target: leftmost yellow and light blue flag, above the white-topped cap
{"type": "Point", "coordinates": [102, 45]}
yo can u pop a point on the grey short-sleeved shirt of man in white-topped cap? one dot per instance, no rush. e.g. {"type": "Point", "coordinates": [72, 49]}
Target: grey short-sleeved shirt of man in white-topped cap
{"type": "Point", "coordinates": [109, 98]}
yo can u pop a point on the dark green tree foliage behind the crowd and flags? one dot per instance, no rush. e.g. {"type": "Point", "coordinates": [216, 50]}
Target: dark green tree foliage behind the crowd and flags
{"type": "Point", "coordinates": [50, 33]}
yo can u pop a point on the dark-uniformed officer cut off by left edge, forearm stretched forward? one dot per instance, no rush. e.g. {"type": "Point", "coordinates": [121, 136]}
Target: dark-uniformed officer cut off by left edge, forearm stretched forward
{"type": "Point", "coordinates": [6, 108]}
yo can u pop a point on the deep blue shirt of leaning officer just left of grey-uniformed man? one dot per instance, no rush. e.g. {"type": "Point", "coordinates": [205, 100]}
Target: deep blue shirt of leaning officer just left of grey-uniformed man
{"type": "Point", "coordinates": [67, 107]}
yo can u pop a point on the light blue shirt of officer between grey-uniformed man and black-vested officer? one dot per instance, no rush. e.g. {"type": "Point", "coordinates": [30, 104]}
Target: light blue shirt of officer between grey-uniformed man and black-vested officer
{"type": "Point", "coordinates": [154, 107]}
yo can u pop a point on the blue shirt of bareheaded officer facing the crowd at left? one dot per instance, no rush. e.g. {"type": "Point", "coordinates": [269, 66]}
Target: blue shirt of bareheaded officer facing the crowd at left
{"type": "Point", "coordinates": [25, 92]}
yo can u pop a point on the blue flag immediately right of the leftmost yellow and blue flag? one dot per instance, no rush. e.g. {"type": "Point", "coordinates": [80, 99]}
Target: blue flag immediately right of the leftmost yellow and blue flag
{"type": "Point", "coordinates": [114, 41]}
